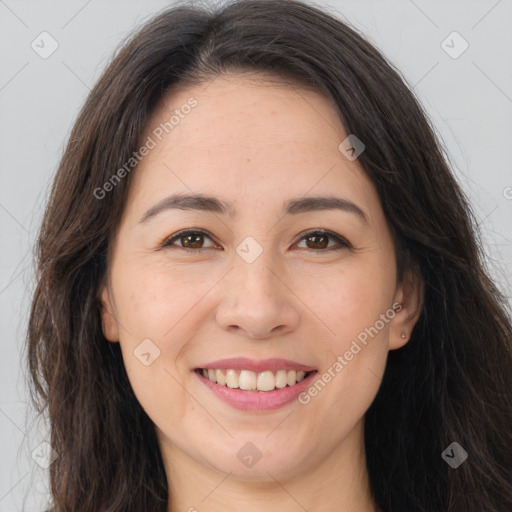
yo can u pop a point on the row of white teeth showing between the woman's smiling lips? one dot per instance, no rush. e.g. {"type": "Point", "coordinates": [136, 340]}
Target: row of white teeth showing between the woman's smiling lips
{"type": "Point", "coordinates": [247, 380]}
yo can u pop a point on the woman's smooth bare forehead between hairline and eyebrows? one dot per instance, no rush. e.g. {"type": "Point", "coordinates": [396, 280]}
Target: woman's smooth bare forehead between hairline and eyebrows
{"type": "Point", "coordinates": [244, 135]}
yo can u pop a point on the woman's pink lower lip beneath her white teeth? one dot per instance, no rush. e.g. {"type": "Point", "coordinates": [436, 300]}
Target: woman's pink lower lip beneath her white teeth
{"type": "Point", "coordinates": [258, 400]}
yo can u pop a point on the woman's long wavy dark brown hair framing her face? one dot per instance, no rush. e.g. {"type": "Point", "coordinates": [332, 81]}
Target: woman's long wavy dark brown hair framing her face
{"type": "Point", "coordinates": [451, 382]}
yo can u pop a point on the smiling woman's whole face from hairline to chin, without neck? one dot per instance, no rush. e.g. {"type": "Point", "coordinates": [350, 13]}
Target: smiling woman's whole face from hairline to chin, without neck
{"type": "Point", "coordinates": [263, 286]}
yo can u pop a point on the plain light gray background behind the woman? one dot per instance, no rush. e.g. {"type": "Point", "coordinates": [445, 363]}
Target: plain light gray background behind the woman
{"type": "Point", "coordinates": [469, 100]}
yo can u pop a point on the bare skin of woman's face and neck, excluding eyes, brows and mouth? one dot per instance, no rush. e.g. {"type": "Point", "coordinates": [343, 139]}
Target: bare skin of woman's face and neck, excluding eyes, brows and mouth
{"type": "Point", "coordinates": [255, 144]}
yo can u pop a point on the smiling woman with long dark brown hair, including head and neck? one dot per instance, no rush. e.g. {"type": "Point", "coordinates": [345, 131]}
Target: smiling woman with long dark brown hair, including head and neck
{"type": "Point", "coordinates": [261, 287]}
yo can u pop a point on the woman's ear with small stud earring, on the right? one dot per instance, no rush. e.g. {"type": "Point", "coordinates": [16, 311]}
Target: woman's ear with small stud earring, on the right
{"type": "Point", "coordinates": [409, 295]}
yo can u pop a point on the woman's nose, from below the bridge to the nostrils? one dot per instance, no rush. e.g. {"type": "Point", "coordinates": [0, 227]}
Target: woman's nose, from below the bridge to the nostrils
{"type": "Point", "coordinates": [256, 300]}
